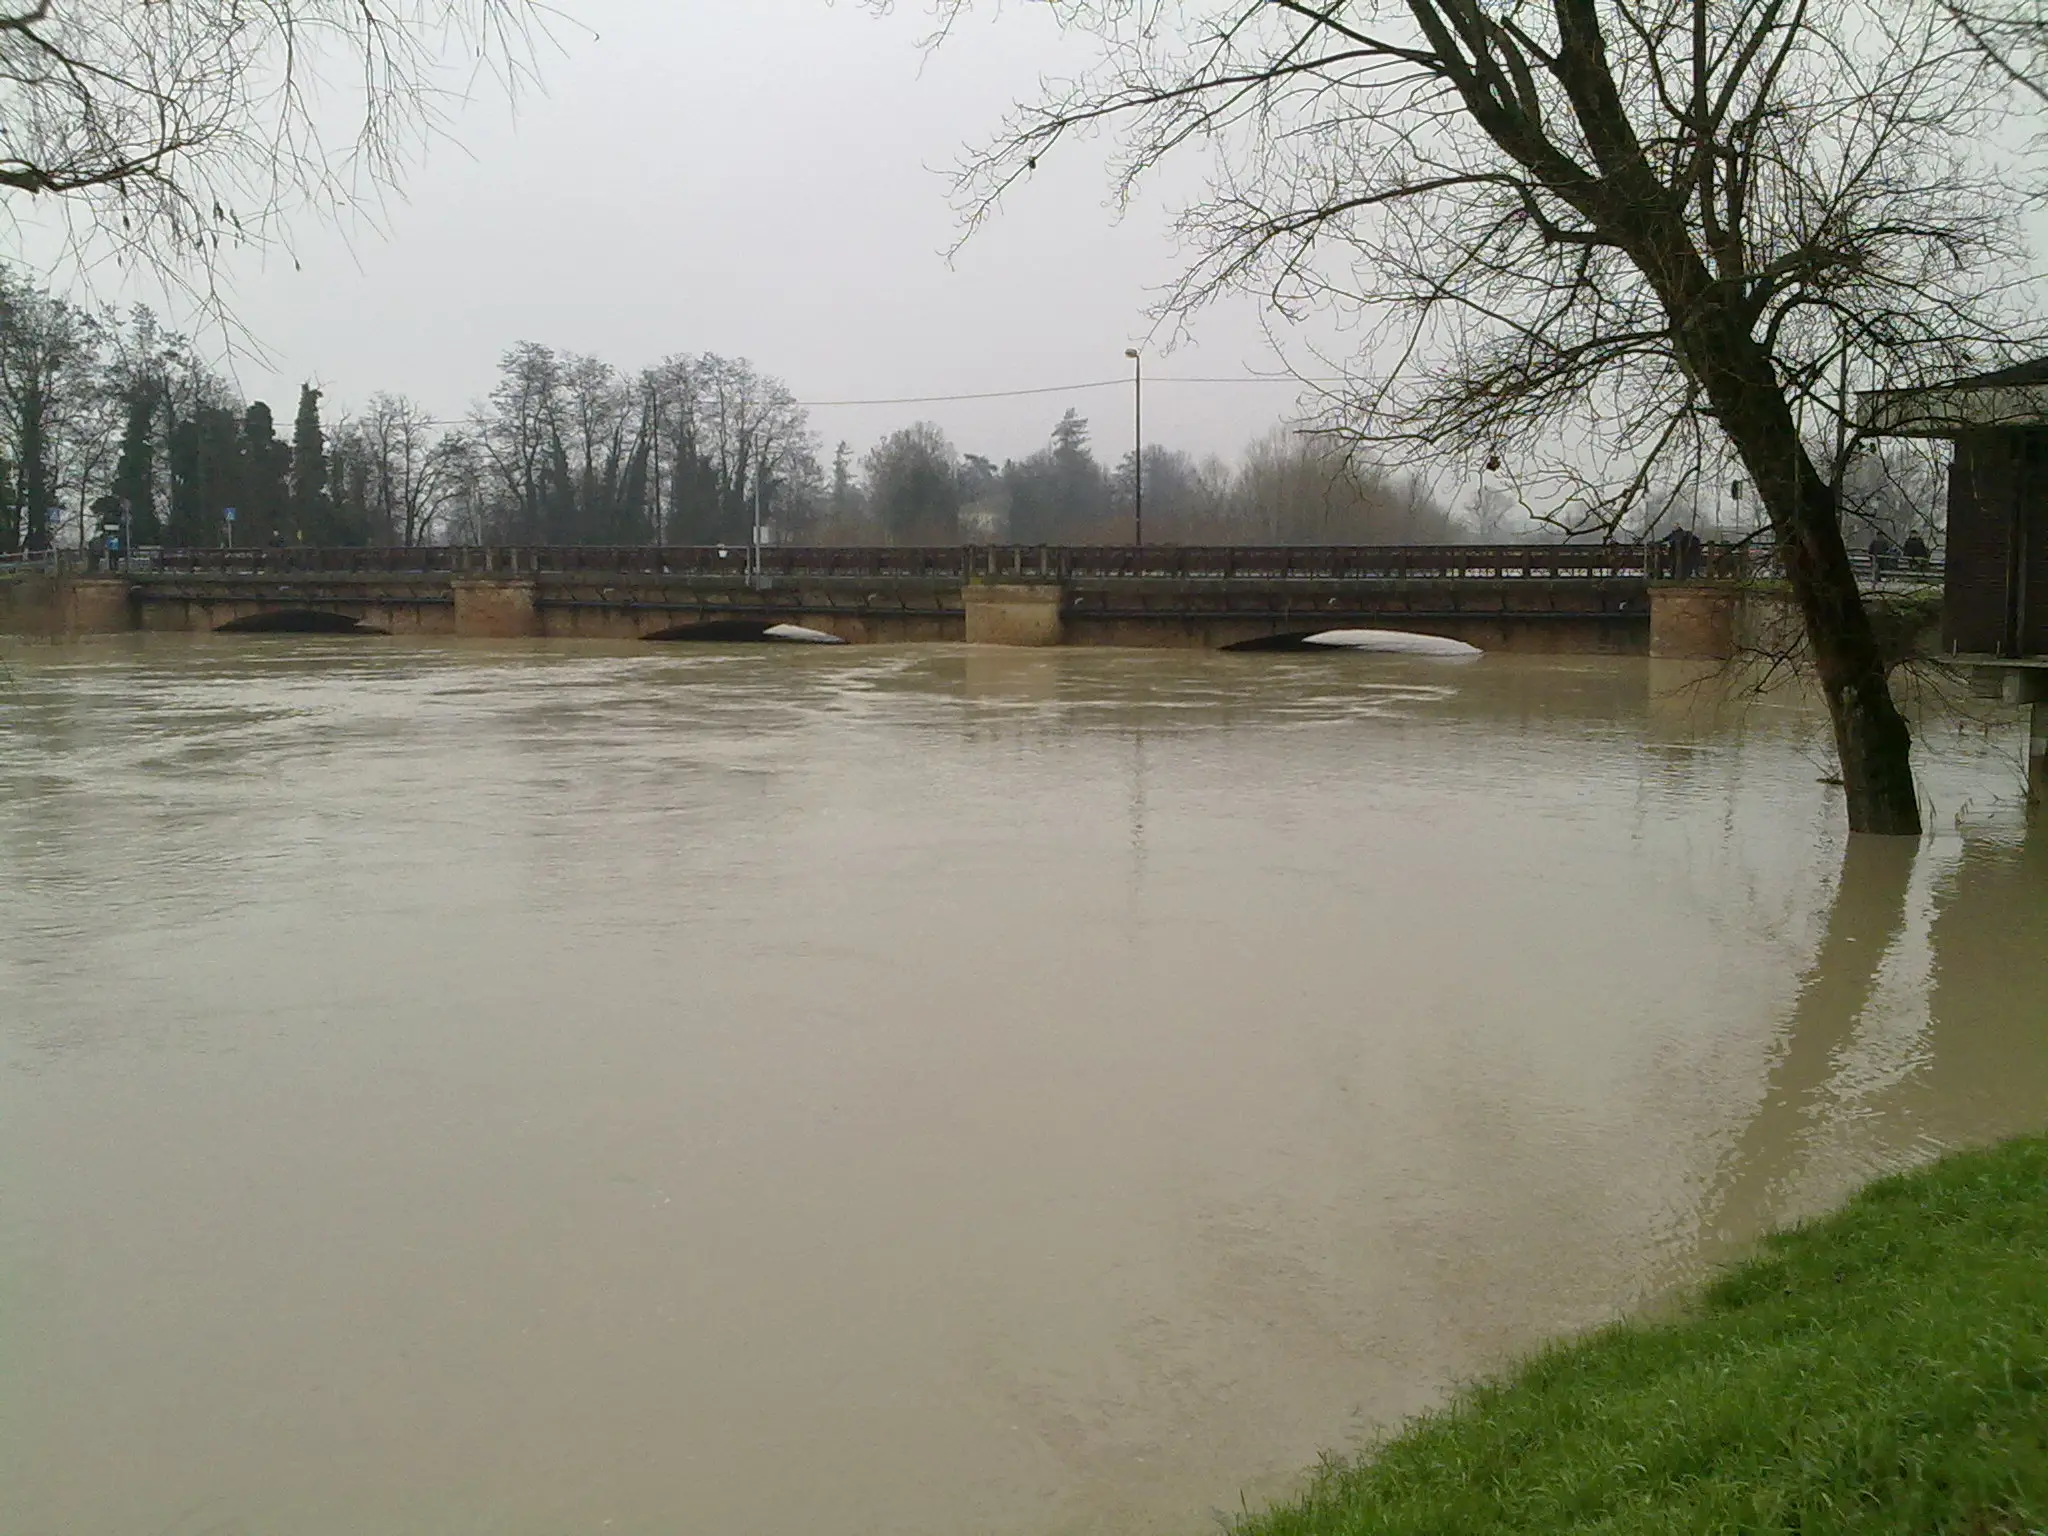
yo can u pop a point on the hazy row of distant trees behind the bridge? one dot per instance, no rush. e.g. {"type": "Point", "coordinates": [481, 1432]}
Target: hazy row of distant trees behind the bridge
{"type": "Point", "coordinates": [108, 417]}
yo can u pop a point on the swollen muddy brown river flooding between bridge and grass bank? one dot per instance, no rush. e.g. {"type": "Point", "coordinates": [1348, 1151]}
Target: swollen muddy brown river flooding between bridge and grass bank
{"type": "Point", "coordinates": [910, 1091]}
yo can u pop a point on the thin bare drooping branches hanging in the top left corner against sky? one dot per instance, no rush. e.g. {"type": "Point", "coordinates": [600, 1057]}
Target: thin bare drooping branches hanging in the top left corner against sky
{"type": "Point", "coordinates": [163, 130]}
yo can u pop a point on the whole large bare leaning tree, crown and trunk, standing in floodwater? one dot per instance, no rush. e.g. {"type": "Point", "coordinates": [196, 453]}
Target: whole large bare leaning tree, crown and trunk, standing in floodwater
{"type": "Point", "coordinates": [1601, 226]}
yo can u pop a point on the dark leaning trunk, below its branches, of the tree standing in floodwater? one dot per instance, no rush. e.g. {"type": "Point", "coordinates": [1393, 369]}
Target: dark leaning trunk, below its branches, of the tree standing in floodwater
{"type": "Point", "coordinates": [1871, 736]}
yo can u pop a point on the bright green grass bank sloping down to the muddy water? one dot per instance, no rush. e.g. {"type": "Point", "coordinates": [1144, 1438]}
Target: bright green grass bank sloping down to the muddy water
{"type": "Point", "coordinates": [1879, 1371]}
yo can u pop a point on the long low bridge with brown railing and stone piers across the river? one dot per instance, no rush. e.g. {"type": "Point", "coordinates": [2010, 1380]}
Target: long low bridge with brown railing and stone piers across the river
{"type": "Point", "coordinates": [1496, 597]}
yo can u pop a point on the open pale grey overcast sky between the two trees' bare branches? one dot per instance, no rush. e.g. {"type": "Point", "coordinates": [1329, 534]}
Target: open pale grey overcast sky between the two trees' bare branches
{"type": "Point", "coordinates": [765, 179]}
